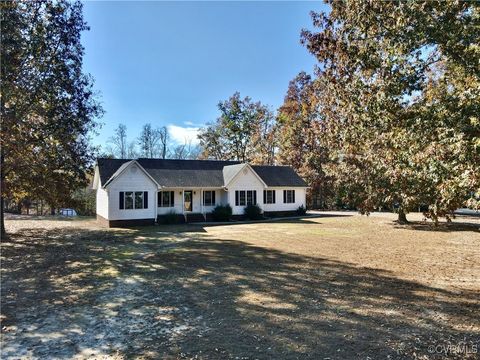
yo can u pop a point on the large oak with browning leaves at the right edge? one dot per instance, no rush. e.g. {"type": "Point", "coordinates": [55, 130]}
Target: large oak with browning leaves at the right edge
{"type": "Point", "coordinates": [399, 90]}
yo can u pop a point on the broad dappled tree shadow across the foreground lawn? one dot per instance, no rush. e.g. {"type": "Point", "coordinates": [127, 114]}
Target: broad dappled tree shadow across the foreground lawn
{"type": "Point", "coordinates": [83, 292]}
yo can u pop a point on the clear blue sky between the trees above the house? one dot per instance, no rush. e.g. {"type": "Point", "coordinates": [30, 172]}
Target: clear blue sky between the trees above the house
{"type": "Point", "coordinates": [171, 63]}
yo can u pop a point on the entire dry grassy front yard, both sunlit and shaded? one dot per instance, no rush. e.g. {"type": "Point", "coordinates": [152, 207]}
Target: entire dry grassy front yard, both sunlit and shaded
{"type": "Point", "coordinates": [339, 286]}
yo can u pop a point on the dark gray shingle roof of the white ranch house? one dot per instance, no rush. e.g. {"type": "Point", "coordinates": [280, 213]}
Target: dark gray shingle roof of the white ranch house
{"type": "Point", "coordinates": [199, 173]}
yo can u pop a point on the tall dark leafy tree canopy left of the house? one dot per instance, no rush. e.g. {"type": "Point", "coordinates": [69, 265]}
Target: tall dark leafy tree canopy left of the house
{"type": "Point", "coordinates": [48, 105]}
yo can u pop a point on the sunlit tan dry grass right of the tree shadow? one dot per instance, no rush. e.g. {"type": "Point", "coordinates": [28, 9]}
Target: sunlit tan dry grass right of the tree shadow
{"type": "Point", "coordinates": [445, 257]}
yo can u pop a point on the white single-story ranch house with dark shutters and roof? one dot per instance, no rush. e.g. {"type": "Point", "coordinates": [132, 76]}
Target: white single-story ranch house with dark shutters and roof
{"type": "Point", "coordinates": [136, 192]}
